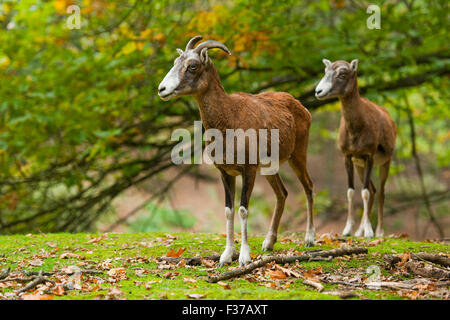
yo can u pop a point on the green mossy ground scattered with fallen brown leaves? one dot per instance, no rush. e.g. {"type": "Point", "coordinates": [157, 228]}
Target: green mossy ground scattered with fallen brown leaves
{"type": "Point", "coordinates": [132, 252]}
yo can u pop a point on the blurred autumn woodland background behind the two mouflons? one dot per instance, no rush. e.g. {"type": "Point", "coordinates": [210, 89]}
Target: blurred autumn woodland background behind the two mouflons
{"type": "Point", "coordinates": [85, 140]}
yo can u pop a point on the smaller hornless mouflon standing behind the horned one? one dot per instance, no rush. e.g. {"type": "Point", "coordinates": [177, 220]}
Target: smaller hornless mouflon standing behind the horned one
{"type": "Point", "coordinates": [366, 138]}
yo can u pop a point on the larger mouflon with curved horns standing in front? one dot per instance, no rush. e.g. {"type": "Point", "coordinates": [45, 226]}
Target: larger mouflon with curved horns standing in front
{"type": "Point", "coordinates": [194, 74]}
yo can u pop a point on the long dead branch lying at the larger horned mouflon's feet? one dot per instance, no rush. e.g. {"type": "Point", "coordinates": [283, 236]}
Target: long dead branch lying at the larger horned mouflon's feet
{"type": "Point", "coordinates": [281, 259]}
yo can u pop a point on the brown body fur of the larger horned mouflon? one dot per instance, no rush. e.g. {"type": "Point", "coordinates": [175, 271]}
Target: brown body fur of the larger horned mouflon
{"type": "Point", "coordinates": [268, 110]}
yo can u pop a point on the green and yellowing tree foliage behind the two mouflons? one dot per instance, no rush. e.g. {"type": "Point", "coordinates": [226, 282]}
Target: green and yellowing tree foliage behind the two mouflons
{"type": "Point", "coordinates": [80, 120]}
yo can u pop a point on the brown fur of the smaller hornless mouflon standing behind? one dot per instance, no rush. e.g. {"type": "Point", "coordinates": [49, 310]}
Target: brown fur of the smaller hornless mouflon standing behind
{"type": "Point", "coordinates": [366, 134]}
